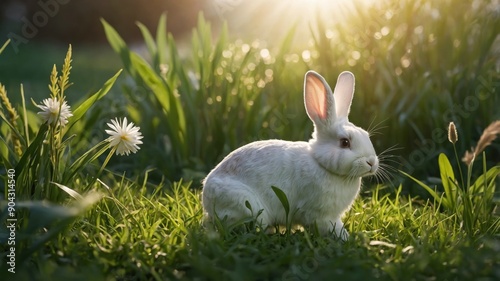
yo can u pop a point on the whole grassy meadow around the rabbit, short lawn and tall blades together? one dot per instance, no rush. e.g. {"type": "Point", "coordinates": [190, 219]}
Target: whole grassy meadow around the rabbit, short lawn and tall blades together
{"type": "Point", "coordinates": [76, 210]}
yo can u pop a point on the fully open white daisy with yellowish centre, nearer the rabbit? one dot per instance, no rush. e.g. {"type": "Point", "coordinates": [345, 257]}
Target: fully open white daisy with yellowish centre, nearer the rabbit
{"type": "Point", "coordinates": [124, 136]}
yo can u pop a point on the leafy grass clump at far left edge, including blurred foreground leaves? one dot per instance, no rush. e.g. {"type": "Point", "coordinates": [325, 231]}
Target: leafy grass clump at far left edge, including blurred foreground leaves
{"type": "Point", "coordinates": [48, 183]}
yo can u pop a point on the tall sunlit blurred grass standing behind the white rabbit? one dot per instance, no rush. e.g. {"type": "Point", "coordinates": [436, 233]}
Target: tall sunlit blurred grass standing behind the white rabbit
{"type": "Point", "coordinates": [418, 66]}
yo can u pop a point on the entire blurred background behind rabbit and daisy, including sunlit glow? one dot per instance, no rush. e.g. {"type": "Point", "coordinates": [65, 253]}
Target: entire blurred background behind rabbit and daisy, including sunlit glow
{"type": "Point", "coordinates": [418, 65]}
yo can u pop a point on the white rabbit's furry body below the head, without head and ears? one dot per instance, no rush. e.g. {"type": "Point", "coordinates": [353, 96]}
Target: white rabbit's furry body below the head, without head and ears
{"type": "Point", "coordinates": [244, 176]}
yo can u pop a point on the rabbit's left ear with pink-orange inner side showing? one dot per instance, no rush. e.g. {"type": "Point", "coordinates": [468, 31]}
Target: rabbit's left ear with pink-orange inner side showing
{"type": "Point", "coordinates": [318, 99]}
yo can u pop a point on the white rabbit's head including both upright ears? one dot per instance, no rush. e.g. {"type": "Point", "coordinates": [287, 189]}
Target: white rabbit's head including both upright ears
{"type": "Point", "coordinates": [338, 146]}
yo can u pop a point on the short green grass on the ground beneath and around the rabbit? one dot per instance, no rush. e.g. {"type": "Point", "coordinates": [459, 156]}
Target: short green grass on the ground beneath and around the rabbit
{"type": "Point", "coordinates": [136, 234]}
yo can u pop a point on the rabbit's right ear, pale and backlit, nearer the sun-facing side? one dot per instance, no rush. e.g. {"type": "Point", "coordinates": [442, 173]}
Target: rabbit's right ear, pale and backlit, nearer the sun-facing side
{"type": "Point", "coordinates": [343, 93]}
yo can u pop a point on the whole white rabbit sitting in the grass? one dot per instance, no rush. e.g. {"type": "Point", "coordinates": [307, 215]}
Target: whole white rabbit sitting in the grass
{"type": "Point", "coordinates": [321, 178]}
